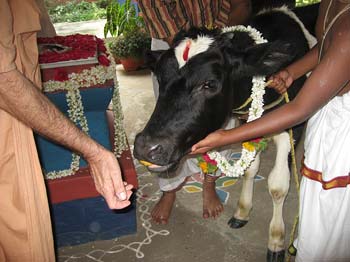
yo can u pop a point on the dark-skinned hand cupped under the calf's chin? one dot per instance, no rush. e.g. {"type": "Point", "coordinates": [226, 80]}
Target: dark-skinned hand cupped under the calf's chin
{"type": "Point", "coordinates": [213, 140]}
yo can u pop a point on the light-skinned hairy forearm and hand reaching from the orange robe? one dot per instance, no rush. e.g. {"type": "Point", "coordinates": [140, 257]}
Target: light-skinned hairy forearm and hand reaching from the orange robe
{"type": "Point", "coordinates": [20, 98]}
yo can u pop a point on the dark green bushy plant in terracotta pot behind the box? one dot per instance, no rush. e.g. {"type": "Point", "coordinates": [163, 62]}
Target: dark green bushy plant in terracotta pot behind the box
{"type": "Point", "coordinates": [130, 47]}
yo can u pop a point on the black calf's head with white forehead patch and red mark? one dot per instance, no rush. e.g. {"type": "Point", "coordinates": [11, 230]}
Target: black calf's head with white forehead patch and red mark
{"type": "Point", "coordinates": [197, 80]}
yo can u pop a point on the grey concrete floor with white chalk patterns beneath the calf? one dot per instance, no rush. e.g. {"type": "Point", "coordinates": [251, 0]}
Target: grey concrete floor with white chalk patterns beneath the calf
{"type": "Point", "coordinates": [187, 237]}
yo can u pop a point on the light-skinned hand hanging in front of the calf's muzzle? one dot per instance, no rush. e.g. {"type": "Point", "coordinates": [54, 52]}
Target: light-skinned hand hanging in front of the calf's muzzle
{"type": "Point", "coordinates": [106, 172]}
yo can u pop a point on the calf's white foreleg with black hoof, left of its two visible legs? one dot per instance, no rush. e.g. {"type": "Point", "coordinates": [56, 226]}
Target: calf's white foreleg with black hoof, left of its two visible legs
{"type": "Point", "coordinates": [245, 202]}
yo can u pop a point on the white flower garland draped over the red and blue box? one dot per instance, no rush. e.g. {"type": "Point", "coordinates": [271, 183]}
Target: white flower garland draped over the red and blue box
{"type": "Point", "coordinates": [88, 77]}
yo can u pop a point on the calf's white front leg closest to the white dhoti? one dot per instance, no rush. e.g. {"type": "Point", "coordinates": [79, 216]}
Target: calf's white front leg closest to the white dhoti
{"type": "Point", "coordinates": [278, 183]}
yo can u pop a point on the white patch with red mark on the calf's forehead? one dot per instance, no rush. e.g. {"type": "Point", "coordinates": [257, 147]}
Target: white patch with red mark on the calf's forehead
{"type": "Point", "coordinates": [196, 46]}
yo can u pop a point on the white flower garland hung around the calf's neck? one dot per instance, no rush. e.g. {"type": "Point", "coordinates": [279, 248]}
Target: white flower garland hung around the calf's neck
{"type": "Point", "coordinates": [249, 149]}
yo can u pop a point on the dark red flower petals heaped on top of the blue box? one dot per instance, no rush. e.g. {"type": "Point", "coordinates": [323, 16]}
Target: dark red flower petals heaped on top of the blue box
{"type": "Point", "coordinates": [76, 47]}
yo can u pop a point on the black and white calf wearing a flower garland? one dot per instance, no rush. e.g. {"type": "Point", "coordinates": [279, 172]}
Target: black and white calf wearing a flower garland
{"type": "Point", "coordinates": [201, 82]}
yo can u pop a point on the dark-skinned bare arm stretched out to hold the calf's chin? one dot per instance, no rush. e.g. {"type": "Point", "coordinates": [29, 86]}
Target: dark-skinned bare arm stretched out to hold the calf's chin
{"type": "Point", "coordinates": [325, 81]}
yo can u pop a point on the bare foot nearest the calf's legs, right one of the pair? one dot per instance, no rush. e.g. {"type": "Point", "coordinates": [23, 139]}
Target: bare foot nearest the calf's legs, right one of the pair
{"type": "Point", "coordinates": [212, 206]}
